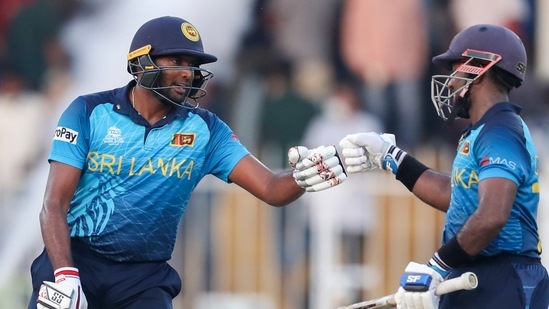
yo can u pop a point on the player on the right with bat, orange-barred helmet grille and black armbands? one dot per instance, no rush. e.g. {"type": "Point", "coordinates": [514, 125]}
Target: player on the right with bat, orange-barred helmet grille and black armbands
{"type": "Point", "coordinates": [491, 196]}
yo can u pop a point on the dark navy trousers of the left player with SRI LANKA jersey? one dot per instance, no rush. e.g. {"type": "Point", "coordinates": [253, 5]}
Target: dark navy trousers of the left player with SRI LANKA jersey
{"type": "Point", "coordinates": [114, 285]}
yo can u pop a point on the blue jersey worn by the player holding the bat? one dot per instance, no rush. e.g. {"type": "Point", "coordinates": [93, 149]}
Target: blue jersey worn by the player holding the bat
{"type": "Point", "coordinates": [499, 145]}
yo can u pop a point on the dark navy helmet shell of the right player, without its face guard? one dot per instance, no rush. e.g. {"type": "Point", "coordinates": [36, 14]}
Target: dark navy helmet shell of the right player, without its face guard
{"type": "Point", "coordinates": [488, 38]}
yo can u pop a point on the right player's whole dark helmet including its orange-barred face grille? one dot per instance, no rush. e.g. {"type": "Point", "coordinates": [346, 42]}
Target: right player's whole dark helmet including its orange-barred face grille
{"type": "Point", "coordinates": [477, 49]}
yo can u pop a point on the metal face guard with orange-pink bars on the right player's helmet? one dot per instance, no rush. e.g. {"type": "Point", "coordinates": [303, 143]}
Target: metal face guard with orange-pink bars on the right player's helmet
{"type": "Point", "coordinates": [448, 101]}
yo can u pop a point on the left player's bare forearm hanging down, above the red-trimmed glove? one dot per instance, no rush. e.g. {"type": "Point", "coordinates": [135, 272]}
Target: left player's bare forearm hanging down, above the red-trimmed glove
{"type": "Point", "coordinates": [56, 237]}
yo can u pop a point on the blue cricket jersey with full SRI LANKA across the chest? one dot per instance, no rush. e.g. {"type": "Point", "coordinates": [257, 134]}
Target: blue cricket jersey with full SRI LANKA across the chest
{"type": "Point", "coordinates": [137, 178]}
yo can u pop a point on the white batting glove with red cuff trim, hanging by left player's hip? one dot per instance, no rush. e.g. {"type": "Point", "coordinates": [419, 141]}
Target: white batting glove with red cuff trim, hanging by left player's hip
{"type": "Point", "coordinates": [65, 293]}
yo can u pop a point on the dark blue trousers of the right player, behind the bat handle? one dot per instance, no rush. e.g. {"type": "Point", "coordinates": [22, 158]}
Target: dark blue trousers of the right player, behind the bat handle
{"type": "Point", "coordinates": [504, 281]}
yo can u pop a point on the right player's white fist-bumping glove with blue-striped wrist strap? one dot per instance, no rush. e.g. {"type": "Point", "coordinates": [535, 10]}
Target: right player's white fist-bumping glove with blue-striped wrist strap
{"type": "Point", "coordinates": [367, 151]}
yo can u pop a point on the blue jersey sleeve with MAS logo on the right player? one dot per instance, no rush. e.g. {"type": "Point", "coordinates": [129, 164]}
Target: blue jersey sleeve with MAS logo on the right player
{"type": "Point", "coordinates": [501, 153]}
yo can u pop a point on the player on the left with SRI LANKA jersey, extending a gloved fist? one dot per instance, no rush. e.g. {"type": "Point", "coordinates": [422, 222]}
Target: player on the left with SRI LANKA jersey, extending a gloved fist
{"type": "Point", "coordinates": [123, 165]}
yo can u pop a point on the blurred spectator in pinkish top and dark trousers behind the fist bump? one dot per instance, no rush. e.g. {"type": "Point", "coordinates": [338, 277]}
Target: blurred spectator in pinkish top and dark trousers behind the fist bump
{"type": "Point", "coordinates": [384, 43]}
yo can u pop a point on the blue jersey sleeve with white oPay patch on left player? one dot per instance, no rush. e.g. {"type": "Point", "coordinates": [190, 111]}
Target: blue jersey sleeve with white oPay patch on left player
{"type": "Point", "coordinates": [71, 138]}
